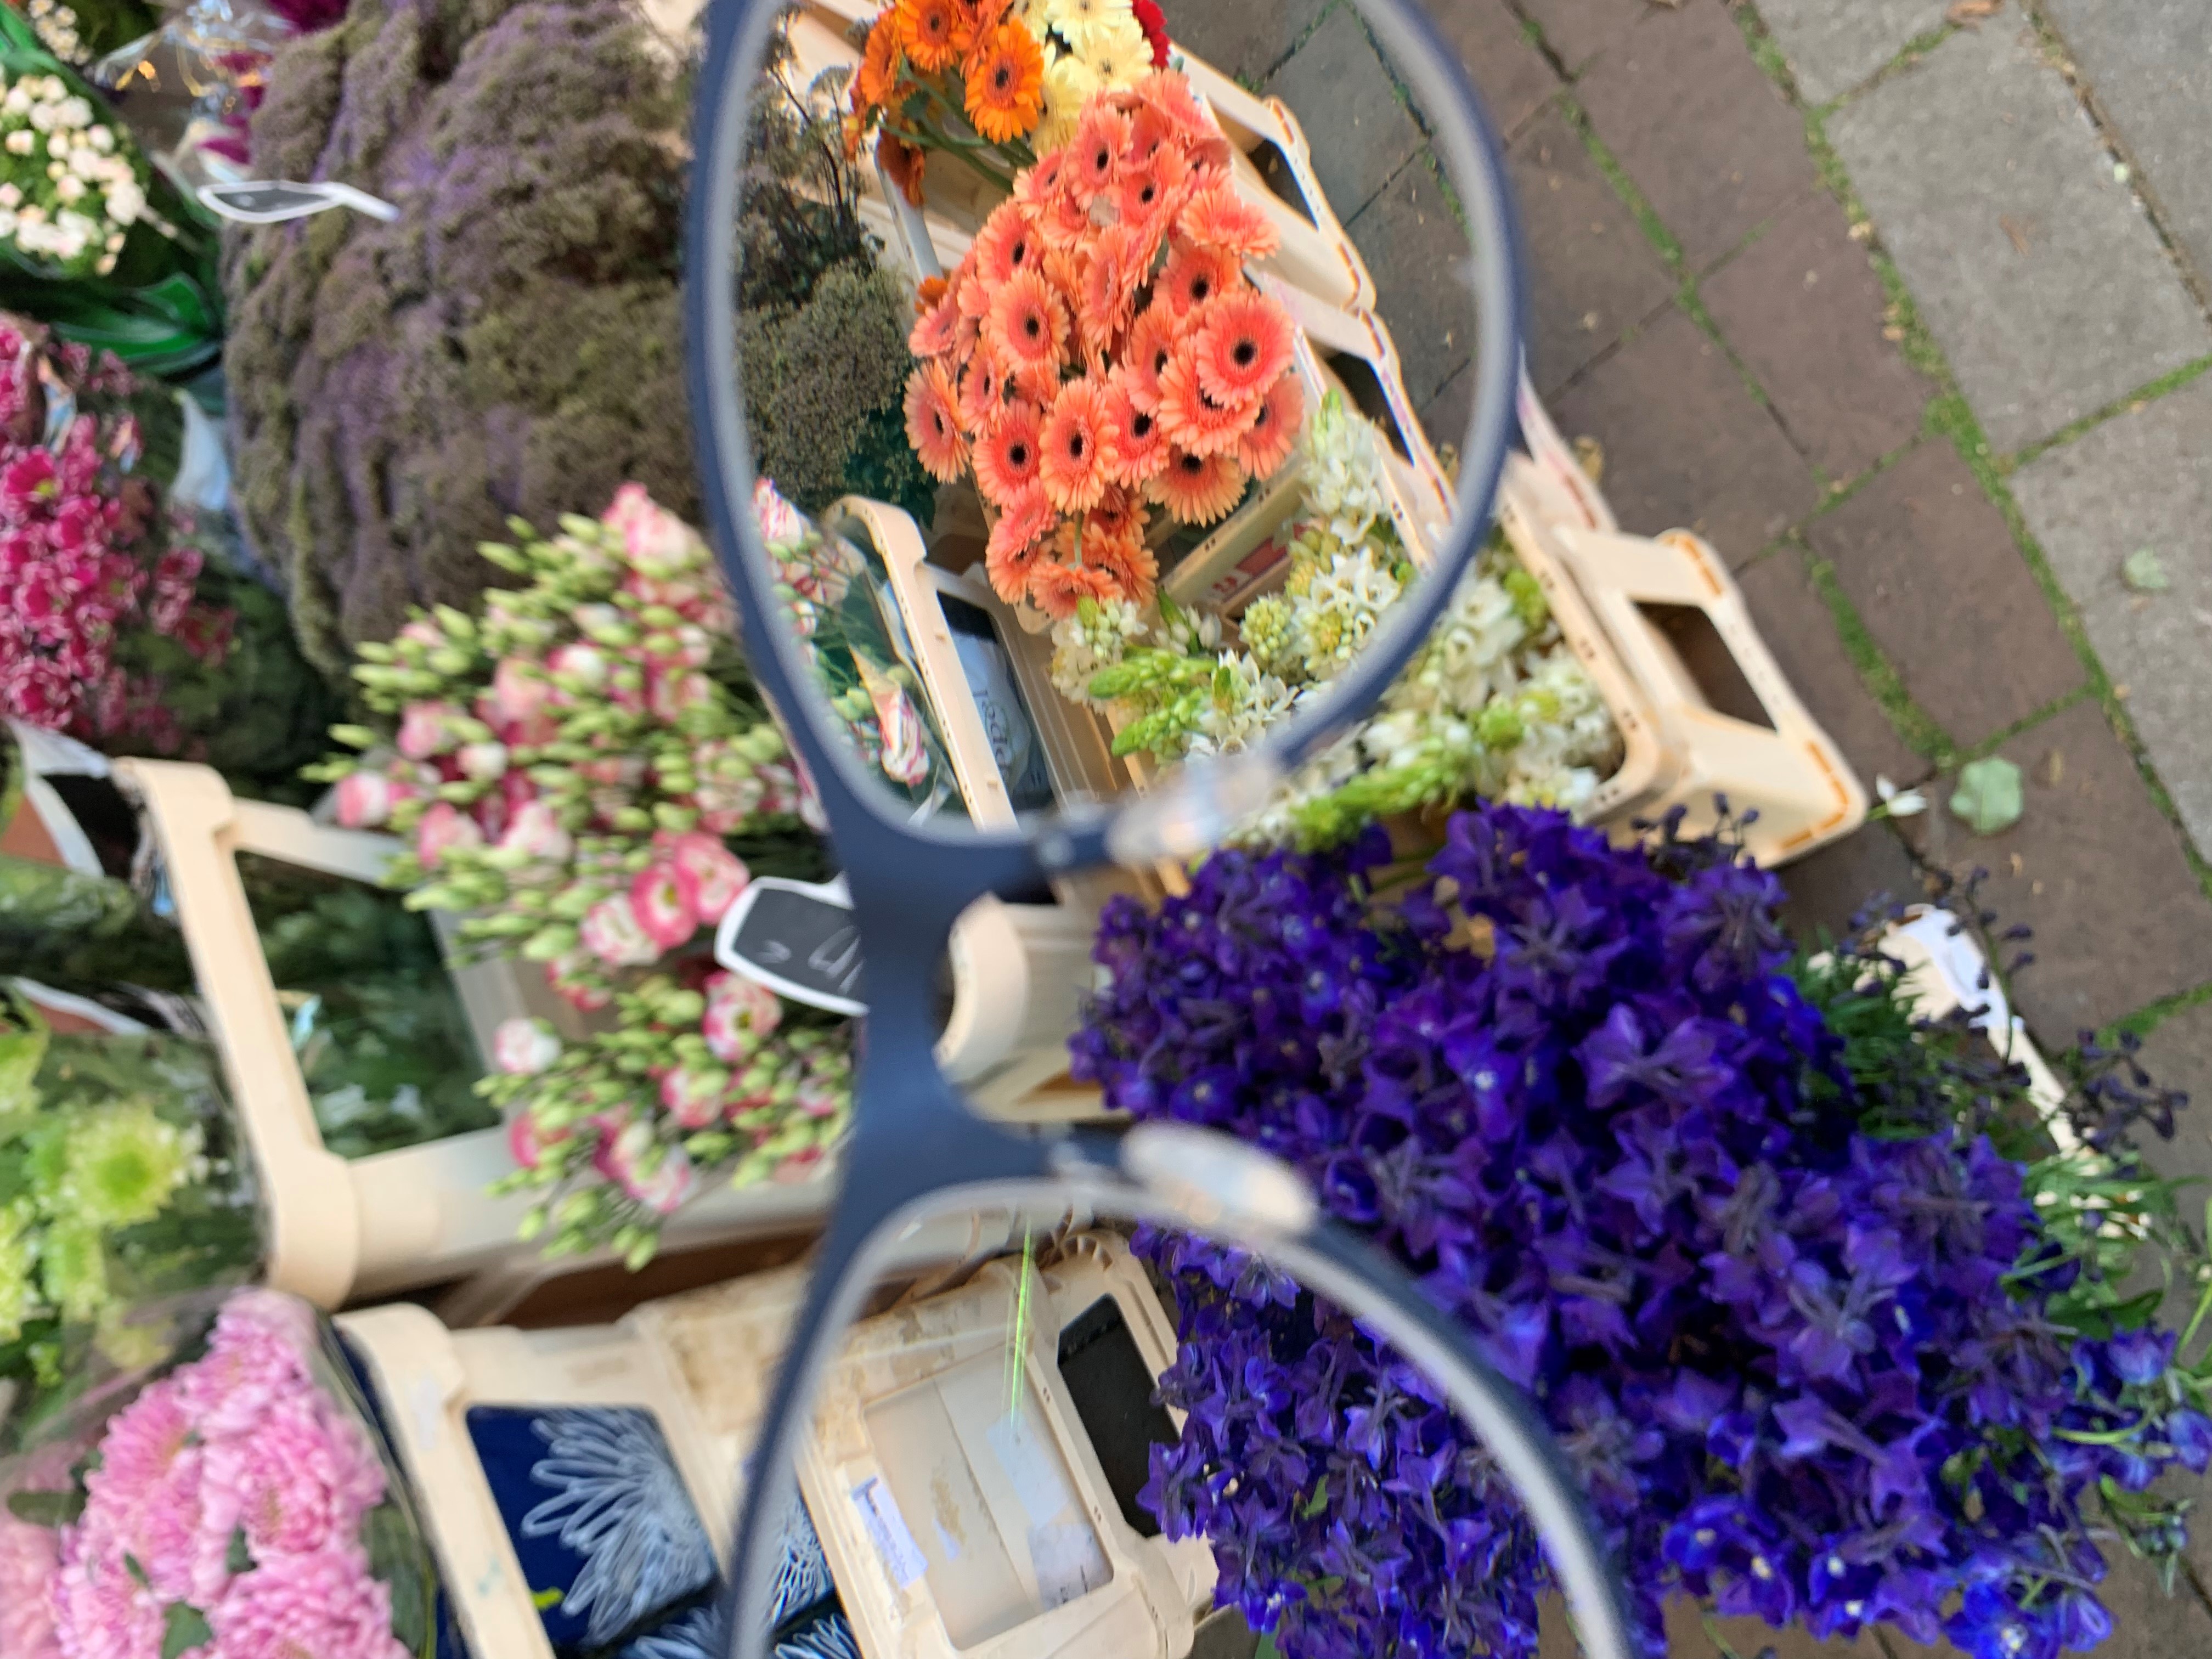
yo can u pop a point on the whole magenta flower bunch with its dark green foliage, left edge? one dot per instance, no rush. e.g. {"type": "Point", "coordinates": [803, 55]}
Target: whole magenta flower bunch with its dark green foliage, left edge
{"type": "Point", "coordinates": [129, 625]}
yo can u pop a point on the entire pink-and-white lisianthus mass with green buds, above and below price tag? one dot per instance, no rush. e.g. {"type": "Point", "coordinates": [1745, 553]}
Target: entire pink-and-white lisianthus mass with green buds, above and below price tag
{"type": "Point", "coordinates": [589, 780]}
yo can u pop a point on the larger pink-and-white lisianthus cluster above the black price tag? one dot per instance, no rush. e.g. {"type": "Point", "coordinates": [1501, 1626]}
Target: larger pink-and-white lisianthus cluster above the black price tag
{"type": "Point", "coordinates": [567, 764]}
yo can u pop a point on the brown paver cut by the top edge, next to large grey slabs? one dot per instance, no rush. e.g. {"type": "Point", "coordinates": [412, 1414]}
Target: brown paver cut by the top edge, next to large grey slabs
{"type": "Point", "coordinates": [1704, 134]}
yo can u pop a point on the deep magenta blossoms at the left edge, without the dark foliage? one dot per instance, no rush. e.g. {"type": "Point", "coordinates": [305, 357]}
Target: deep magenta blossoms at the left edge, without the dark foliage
{"type": "Point", "coordinates": [85, 559]}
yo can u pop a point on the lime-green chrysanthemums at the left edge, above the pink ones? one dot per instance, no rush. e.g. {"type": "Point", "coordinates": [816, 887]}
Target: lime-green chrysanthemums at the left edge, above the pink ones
{"type": "Point", "coordinates": [125, 1182]}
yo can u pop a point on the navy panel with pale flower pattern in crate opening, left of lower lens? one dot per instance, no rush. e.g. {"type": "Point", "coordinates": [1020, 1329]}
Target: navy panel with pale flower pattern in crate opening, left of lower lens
{"type": "Point", "coordinates": [601, 1519]}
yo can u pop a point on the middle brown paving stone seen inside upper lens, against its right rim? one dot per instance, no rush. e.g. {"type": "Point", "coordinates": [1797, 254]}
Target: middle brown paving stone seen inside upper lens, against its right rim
{"type": "Point", "coordinates": [1417, 253]}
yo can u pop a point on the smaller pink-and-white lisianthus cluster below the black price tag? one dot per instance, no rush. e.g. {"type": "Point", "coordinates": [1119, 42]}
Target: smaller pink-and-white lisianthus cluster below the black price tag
{"type": "Point", "coordinates": [700, 1081]}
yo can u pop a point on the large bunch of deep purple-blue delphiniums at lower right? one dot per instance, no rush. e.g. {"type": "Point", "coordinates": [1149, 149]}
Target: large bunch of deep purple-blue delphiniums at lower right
{"type": "Point", "coordinates": [1589, 1107]}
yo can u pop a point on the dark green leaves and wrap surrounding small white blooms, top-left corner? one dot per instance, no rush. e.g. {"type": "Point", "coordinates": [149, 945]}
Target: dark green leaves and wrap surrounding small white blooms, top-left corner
{"type": "Point", "coordinates": [160, 304]}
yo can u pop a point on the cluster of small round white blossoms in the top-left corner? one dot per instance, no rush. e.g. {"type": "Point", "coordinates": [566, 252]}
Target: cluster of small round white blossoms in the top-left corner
{"type": "Point", "coordinates": [70, 185]}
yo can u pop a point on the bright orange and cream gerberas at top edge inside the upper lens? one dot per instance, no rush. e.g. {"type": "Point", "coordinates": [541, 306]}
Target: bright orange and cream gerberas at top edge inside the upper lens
{"type": "Point", "coordinates": [992, 85]}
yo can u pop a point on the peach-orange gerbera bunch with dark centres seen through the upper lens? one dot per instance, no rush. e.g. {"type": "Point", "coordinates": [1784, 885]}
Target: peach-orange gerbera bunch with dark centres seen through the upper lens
{"type": "Point", "coordinates": [1103, 357]}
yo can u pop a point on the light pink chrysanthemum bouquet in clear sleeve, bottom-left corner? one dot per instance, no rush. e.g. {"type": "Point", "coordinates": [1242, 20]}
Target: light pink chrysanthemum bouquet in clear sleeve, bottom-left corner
{"type": "Point", "coordinates": [236, 1499]}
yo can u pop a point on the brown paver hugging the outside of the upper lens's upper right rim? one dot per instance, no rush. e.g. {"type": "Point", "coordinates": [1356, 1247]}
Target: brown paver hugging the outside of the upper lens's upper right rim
{"type": "Point", "coordinates": [1592, 273]}
